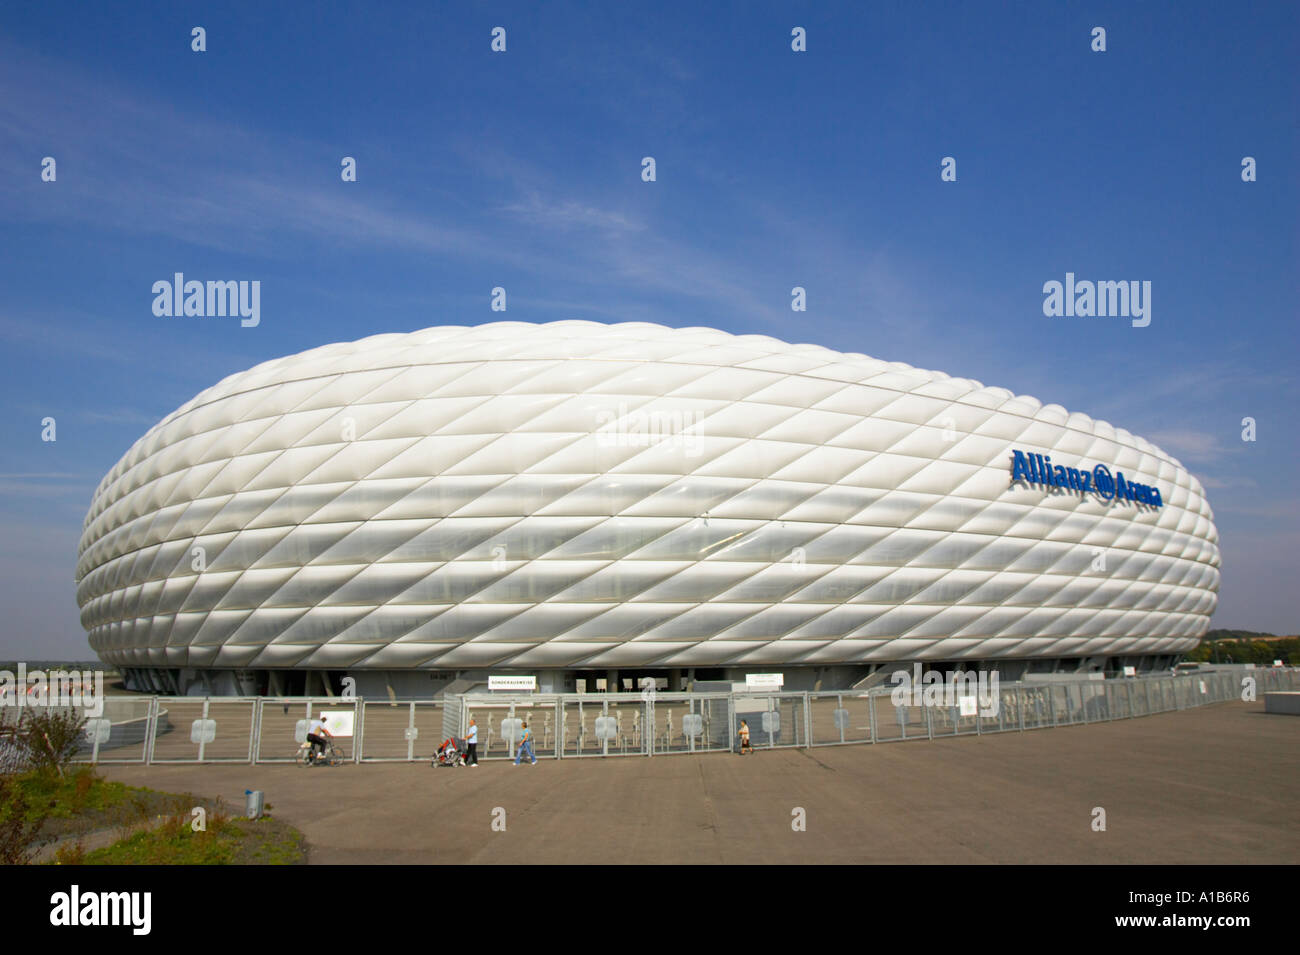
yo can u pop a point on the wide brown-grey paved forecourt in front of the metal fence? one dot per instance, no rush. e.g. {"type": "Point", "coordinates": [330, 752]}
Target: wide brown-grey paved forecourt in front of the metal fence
{"type": "Point", "coordinates": [1208, 785]}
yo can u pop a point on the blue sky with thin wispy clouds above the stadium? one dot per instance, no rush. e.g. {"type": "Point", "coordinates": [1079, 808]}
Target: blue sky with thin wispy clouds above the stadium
{"type": "Point", "coordinates": [775, 170]}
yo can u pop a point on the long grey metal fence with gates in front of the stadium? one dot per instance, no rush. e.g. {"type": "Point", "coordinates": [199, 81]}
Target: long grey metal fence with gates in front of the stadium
{"type": "Point", "coordinates": [189, 730]}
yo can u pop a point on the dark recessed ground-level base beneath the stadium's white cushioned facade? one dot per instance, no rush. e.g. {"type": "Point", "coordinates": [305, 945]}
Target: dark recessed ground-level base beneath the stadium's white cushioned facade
{"type": "Point", "coordinates": [432, 684]}
